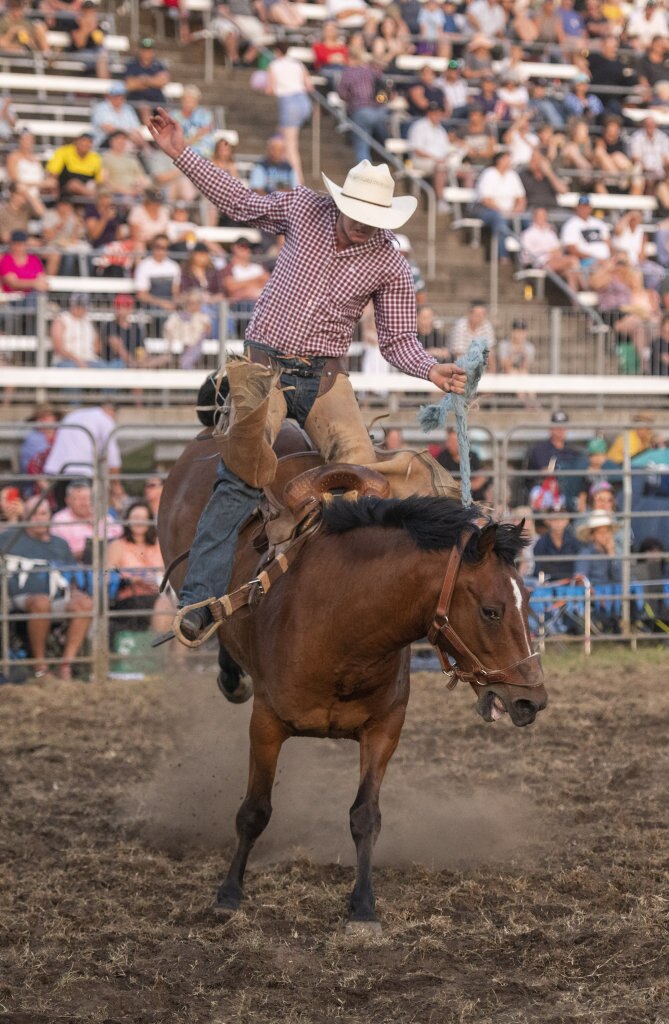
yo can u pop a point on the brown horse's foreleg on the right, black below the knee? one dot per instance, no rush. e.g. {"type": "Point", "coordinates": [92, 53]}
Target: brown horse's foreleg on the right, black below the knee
{"type": "Point", "coordinates": [378, 746]}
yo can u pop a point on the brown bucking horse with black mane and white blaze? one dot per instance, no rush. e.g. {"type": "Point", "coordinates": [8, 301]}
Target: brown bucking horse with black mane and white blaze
{"type": "Point", "coordinates": [328, 647]}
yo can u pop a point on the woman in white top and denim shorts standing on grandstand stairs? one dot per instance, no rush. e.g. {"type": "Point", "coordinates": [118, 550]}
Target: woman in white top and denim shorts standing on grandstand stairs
{"type": "Point", "coordinates": [288, 80]}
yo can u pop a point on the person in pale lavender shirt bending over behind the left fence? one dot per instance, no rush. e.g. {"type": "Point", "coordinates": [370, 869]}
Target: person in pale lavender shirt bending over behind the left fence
{"type": "Point", "coordinates": [85, 439]}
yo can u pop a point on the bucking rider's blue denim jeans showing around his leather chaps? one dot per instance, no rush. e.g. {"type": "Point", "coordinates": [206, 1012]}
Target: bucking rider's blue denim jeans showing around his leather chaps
{"type": "Point", "coordinates": [233, 501]}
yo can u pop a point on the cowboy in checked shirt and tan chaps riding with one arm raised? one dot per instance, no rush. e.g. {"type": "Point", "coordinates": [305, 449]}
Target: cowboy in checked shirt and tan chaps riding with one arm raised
{"type": "Point", "coordinates": [339, 255]}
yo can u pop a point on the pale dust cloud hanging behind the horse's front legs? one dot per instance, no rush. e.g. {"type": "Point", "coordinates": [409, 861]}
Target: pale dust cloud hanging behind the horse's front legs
{"type": "Point", "coordinates": [193, 796]}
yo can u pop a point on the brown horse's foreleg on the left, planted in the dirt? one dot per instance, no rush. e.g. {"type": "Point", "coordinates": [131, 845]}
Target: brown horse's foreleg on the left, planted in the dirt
{"type": "Point", "coordinates": [267, 735]}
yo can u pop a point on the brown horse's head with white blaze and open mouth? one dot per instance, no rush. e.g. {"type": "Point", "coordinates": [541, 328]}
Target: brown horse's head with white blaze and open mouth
{"type": "Point", "coordinates": [486, 632]}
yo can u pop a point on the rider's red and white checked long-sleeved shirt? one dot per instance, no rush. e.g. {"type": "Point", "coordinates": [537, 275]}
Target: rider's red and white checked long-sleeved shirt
{"type": "Point", "coordinates": [317, 295]}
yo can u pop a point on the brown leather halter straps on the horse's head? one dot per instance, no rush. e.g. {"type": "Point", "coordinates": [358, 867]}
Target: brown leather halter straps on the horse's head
{"type": "Point", "coordinates": [457, 660]}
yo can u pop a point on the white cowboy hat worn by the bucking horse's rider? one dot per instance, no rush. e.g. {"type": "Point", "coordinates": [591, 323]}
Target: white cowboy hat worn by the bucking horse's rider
{"type": "Point", "coordinates": [368, 197]}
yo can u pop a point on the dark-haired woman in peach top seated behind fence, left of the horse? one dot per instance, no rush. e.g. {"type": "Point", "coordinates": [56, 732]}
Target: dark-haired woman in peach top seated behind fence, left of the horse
{"type": "Point", "coordinates": [136, 557]}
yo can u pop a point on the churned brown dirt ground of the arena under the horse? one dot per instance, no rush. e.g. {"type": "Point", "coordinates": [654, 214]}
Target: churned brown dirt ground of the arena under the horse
{"type": "Point", "coordinates": [524, 874]}
